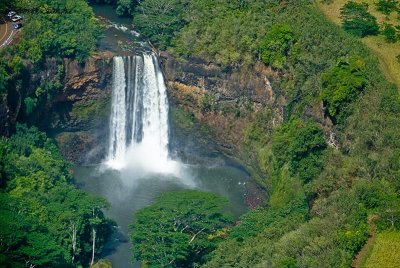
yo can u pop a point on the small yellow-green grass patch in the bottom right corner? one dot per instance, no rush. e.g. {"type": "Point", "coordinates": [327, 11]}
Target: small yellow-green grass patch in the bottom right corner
{"type": "Point", "coordinates": [385, 252]}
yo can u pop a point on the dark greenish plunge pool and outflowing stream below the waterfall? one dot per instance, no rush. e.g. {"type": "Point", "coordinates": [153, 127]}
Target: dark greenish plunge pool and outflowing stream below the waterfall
{"type": "Point", "coordinates": [127, 193]}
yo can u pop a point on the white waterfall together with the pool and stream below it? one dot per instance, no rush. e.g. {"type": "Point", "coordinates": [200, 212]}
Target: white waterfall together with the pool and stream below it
{"type": "Point", "coordinates": [138, 167]}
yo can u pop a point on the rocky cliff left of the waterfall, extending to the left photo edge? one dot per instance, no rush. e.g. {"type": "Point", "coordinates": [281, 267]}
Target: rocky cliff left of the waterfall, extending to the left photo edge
{"type": "Point", "coordinates": [77, 115]}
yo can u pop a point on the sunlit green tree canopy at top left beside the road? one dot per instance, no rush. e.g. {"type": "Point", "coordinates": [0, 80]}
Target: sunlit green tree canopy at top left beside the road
{"type": "Point", "coordinates": [57, 28]}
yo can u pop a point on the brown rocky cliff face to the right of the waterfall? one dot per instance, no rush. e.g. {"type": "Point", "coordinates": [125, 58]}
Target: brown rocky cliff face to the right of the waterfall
{"type": "Point", "coordinates": [226, 100]}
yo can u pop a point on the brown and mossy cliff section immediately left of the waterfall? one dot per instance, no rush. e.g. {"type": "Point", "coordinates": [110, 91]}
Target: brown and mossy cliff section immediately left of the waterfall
{"type": "Point", "coordinates": [79, 115]}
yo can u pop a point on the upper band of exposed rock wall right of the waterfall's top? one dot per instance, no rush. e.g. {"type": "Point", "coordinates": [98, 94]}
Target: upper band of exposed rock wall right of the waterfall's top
{"type": "Point", "coordinates": [251, 82]}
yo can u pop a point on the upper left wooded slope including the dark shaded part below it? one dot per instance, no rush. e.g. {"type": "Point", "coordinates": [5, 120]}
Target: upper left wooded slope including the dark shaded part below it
{"type": "Point", "coordinates": [32, 70]}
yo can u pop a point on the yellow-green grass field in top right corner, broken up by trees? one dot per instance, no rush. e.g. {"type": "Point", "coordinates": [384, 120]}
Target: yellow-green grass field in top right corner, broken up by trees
{"type": "Point", "coordinates": [386, 52]}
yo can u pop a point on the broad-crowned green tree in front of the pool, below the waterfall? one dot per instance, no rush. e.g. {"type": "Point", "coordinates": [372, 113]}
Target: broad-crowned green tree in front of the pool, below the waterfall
{"type": "Point", "coordinates": [176, 230]}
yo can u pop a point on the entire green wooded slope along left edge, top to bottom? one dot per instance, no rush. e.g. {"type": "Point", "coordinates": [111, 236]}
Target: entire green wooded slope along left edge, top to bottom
{"type": "Point", "coordinates": [45, 220]}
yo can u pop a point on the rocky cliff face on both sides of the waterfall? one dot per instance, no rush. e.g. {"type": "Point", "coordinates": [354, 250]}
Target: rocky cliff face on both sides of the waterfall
{"type": "Point", "coordinates": [222, 102]}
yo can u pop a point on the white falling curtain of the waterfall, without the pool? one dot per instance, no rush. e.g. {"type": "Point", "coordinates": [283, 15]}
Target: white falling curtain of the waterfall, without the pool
{"type": "Point", "coordinates": [139, 113]}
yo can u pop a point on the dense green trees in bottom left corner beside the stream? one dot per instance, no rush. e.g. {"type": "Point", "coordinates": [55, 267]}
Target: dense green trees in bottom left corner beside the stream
{"type": "Point", "coordinates": [45, 220]}
